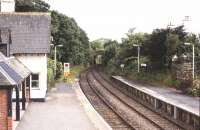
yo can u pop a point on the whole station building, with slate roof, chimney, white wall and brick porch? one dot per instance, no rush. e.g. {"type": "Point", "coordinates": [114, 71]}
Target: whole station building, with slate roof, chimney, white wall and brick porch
{"type": "Point", "coordinates": [24, 46]}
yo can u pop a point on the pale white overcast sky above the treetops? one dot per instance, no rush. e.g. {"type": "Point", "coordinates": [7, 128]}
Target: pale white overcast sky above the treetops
{"type": "Point", "coordinates": [113, 18]}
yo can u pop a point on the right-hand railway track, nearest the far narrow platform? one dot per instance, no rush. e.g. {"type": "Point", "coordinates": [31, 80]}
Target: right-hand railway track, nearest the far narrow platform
{"type": "Point", "coordinates": [135, 114]}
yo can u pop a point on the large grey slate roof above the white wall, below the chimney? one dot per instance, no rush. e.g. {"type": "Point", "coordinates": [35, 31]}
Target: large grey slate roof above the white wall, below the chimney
{"type": "Point", "coordinates": [30, 32]}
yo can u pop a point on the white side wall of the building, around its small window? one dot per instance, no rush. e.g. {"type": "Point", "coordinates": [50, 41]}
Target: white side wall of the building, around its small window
{"type": "Point", "coordinates": [36, 64]}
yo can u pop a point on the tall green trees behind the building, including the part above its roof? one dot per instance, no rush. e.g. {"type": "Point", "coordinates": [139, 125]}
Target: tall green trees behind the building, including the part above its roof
{"type": "Point", "coordinates": [65, 31]}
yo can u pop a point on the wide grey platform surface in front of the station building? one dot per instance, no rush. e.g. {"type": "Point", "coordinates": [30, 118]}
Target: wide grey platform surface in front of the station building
{"type": "Point", "coordinates": [61, 111]}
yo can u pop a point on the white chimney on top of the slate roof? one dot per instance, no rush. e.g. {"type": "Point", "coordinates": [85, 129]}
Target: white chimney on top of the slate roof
{"type": "Point", "coordinates": [7, 6]}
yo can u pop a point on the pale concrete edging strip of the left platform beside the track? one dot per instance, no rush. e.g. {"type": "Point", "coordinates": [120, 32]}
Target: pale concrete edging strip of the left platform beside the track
{"type": "Point", "coordinates": [93, 115]}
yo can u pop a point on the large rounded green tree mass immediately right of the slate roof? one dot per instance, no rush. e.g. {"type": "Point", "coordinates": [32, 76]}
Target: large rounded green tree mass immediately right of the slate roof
{"type": "Point", "coordinates": [66, 32]}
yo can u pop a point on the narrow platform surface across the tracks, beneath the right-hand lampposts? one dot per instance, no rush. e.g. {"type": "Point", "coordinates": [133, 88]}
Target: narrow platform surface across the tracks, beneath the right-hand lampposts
{"type": "Point", "coordinates": [169, 95]}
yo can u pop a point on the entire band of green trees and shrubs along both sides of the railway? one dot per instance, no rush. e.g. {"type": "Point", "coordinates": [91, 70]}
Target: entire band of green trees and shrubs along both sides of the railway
{"type": "Point", "coordinates": [159, 51]}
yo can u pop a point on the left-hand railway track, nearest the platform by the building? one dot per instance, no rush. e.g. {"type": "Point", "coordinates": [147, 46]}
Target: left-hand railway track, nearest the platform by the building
{"type": "Point", "coordinates": [116, 122]}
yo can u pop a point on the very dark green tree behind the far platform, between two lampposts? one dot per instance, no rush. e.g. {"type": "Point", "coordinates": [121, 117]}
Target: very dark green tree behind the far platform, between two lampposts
{"type": "Point", "coordinates": [162, 44]}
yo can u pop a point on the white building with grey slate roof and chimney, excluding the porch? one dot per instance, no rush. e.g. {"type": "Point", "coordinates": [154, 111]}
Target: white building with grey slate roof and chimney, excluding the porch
{"type": "Point", "coordinates": [27, 37]}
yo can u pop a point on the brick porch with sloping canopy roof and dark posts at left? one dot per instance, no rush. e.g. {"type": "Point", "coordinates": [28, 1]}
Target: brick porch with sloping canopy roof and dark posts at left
{"type": "Point", "coordinates": [13, 78]}
